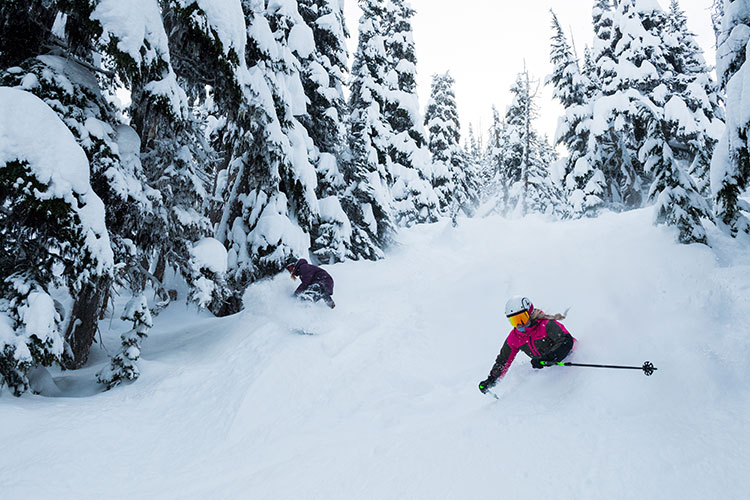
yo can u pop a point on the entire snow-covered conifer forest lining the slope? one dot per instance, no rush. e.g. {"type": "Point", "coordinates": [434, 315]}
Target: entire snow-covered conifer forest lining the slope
{"type": "Point", "coordinates": [242, 124]}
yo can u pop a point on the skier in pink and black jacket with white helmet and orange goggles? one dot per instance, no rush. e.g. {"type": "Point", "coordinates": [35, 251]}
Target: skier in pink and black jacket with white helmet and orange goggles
{"type": "Point", "coordinates": [540, 336]}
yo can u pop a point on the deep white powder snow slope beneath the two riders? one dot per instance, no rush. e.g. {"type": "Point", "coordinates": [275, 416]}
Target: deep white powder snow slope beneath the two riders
{"type": "Point", "coordinates": [382, 402]}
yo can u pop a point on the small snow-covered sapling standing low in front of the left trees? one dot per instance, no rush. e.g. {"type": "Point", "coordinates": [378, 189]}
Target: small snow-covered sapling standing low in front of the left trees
{"type": "Point", "coordinates": [123, 365]}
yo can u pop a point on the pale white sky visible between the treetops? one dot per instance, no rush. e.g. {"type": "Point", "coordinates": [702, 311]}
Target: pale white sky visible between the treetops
{"type": "Point", "coordinates": [484, 44]}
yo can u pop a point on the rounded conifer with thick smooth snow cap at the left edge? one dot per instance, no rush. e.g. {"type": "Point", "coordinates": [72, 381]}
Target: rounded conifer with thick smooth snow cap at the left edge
{"type": "Point", "coordinates": [53, 232]}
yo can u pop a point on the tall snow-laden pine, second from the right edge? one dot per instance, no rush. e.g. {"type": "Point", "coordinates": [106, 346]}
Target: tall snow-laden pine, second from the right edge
{"type": "Point", "coordinates": [668, 74]}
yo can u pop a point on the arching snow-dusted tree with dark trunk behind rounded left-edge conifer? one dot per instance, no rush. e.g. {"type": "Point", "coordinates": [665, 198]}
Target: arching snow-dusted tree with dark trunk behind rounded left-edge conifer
{"type": "Point", "coordinates": [116, 176]}
